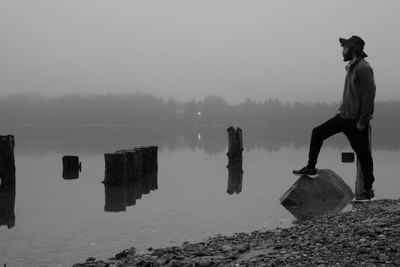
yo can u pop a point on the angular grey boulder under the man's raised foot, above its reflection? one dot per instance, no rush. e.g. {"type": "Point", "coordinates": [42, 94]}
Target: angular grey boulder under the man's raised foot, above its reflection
{"type": "Point", "coordinates": [325, 187]}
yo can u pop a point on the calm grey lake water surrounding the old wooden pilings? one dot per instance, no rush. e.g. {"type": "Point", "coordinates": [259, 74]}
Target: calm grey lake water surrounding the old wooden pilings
{"type": "Point", "coordinates": [59, 222]}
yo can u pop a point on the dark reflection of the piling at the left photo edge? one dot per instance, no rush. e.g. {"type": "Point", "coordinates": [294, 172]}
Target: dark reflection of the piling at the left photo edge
{"type": "Point", "coordinates": [7, 205]}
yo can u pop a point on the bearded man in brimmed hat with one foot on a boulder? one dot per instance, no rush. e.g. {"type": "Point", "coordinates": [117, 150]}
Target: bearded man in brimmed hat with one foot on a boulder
{"type": "Point", "coordinates": [354, 114]}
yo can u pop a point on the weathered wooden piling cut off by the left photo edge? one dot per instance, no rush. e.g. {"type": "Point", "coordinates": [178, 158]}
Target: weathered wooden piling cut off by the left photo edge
{"type": "Point", "coordinates": [7, 161]}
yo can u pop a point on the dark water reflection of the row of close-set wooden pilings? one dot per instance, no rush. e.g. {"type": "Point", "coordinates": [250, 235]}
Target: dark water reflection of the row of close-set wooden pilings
{"type": "Point", "coordinates": [118, 198]}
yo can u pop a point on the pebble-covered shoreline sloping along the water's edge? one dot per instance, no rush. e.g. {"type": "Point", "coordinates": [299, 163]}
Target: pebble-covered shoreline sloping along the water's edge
{"type": "Point", "coordinates": [367, 235]}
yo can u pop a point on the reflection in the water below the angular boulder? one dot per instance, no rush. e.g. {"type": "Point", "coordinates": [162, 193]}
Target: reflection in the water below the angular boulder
{"type": "Point", "coordinates": [317, 208]}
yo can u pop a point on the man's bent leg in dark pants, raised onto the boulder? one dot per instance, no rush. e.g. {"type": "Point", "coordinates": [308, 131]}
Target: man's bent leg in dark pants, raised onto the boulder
{"type": "Point", "coordinates": [319, 134]}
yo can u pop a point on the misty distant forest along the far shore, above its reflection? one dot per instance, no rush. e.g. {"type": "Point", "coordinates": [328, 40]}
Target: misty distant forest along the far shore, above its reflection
{"type": "Point", "coordinates": [145, 110]}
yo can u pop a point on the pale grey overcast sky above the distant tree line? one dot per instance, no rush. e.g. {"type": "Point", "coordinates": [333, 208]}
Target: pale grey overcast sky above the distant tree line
{"type": "Point", "coordinates": [188, 49]}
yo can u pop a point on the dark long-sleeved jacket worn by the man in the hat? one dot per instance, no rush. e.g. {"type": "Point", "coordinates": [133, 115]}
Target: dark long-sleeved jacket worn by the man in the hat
{"type": "Point", "coordinates": [359, 92]}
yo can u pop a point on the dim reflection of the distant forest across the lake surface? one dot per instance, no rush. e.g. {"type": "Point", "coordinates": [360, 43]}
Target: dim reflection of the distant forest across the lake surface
{"type": "Point", "coordinates": [72, 139]}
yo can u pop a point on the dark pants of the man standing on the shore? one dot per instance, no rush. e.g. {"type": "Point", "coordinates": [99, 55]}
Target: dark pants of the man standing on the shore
{"type": "Point", "coordinates": [359, 141]}
